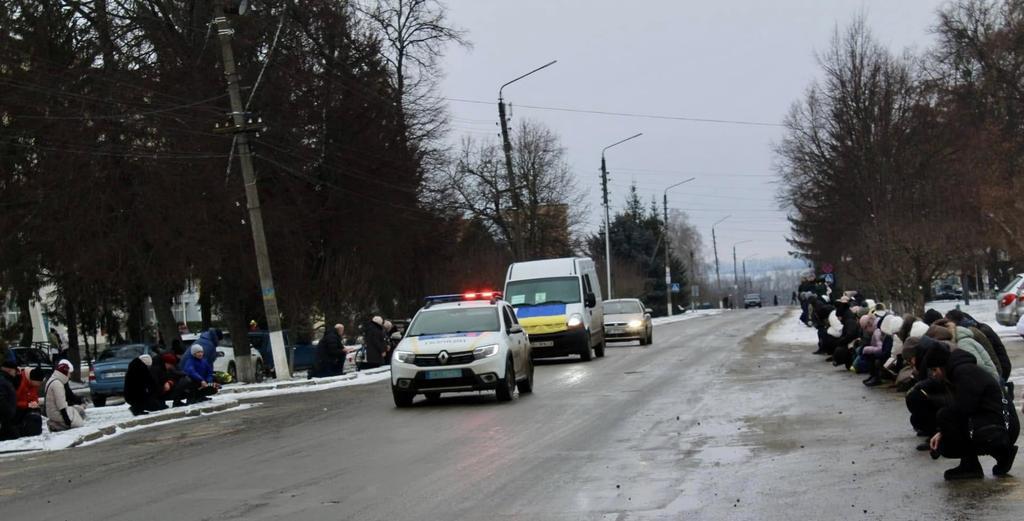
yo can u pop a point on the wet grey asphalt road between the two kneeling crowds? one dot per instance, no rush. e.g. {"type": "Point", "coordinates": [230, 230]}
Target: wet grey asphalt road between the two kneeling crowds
{"type": "Point", "coordinates": [708, 423]}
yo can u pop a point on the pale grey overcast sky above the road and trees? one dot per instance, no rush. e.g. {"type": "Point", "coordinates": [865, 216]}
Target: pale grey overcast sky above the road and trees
{"type": "Point", "coordinates": [723, 60]}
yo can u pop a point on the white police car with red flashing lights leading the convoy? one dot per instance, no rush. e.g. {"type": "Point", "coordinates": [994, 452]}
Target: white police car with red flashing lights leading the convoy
{"type": "Point", "coordinates": [458, 343]}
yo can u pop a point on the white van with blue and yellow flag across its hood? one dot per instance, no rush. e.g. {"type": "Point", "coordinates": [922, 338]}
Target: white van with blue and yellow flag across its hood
{"type": "Point", "coordinates": [559, 302]}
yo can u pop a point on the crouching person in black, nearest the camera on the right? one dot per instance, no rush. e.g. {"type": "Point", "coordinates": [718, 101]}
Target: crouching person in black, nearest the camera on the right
{"type": "Point", "coordinates": [980, 420]}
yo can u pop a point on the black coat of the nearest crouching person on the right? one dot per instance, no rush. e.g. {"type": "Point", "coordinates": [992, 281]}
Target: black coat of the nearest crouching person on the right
{"type": "Point", "coordinates": [977, 395]}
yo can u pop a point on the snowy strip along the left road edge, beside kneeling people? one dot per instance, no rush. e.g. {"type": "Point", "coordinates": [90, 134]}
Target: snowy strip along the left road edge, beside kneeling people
{"type": "Point", "coordinates": [105, 423]}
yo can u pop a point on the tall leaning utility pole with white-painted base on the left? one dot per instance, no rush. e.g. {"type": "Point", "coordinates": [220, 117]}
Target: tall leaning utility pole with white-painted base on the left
{"type": "Point", "coordinates": [241, 126]}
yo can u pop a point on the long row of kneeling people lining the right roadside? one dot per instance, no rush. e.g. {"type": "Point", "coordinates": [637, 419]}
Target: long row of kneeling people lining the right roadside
{"type": "Point", "coordinates": [954, 370]}
